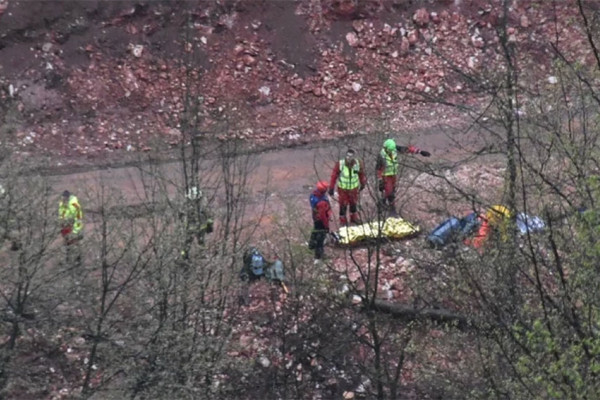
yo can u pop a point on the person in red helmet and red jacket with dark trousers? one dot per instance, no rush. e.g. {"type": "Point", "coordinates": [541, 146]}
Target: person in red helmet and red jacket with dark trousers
{"type": "Point", "coordinates": [321, 214]}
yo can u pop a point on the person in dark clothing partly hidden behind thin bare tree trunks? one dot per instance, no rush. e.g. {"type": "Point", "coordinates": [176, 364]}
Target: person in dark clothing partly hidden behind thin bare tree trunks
{"type": "Point", "coordinates": [197, 219]}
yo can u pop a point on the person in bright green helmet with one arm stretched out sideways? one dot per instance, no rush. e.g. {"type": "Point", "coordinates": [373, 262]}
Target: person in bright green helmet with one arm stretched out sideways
{"type": "Point", "coordinates": [388, 168]}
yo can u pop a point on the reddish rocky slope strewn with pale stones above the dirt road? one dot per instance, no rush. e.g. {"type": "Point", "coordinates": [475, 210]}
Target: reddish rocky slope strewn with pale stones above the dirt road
{"type": "Point", "coordinates": [89, 77]}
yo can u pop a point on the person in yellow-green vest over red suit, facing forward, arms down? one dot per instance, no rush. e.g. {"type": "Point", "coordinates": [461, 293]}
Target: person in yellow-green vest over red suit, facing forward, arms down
{"type": "Point", "coordinates": [350, 177]}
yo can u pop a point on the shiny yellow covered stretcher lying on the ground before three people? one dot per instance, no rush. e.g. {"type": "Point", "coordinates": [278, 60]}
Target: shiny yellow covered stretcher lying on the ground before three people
{"type": "Point", "coordinates": [391, 228]}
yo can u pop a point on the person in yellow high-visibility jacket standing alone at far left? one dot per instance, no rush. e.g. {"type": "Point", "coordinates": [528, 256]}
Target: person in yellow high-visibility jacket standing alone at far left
{"type": "Point", "coordinates": [70, 217]}
